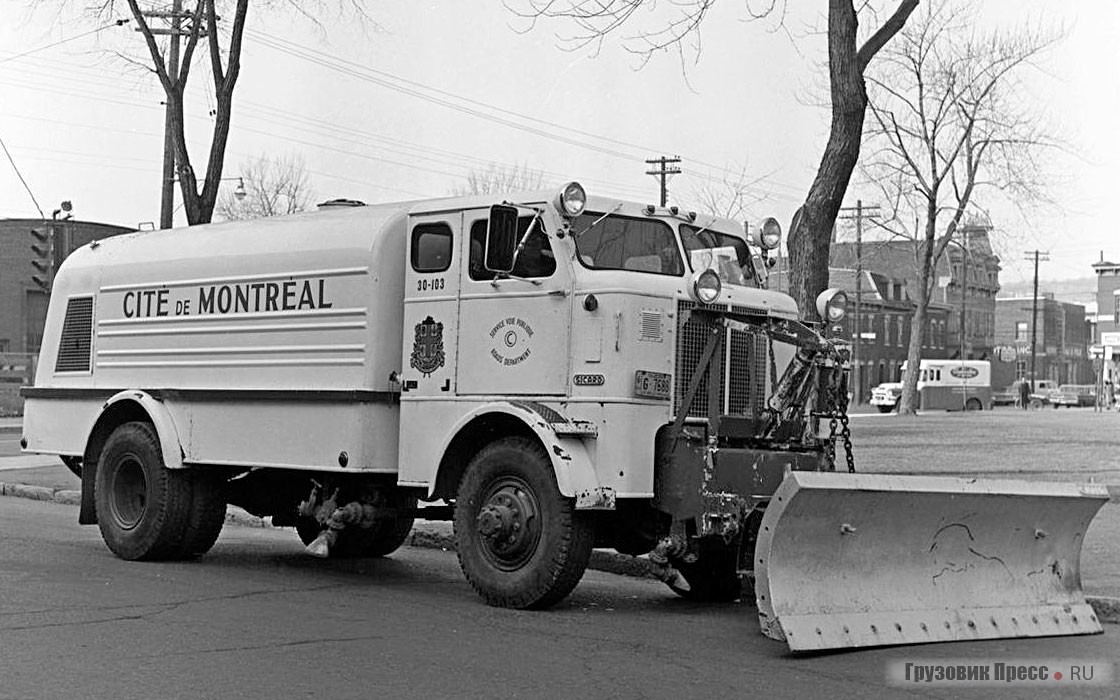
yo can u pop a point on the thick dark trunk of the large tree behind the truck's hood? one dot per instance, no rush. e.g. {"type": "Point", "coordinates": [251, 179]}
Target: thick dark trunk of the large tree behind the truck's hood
{"type": "Point", "coordinates": [811, 230]}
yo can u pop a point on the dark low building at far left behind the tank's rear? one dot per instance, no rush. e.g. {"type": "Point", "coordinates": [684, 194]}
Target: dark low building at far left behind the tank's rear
{"type": "Point", "coordinates": [23, 303]}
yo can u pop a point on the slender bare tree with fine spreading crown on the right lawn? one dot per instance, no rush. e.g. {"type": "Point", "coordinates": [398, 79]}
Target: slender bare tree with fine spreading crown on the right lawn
{"type": "Point", "coordinates": [949, 122]}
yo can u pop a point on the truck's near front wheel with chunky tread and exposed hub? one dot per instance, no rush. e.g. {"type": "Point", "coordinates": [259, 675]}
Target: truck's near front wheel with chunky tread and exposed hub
{"type": "Point", "coordinates": [520, 542]}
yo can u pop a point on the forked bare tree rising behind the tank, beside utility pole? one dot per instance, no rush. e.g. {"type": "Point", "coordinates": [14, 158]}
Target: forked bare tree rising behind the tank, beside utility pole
{"type": "Point", "coordinates": [198, 26]}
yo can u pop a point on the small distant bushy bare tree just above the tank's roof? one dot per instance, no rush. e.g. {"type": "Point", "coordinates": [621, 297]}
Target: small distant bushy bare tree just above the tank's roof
{"type": "Point", "coordinates": [273, 188]}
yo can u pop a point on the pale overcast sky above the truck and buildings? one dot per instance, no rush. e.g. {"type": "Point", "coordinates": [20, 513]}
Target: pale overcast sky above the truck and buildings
{"type": "Point", "coordinates": [407, 106]}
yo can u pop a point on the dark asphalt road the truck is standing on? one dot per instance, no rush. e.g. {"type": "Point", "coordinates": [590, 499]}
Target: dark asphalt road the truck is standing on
{"type": "Point", "coordinates": [257, 619]}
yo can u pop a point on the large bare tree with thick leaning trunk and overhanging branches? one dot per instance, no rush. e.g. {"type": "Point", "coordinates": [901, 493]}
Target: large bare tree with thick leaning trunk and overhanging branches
{"type": "Point", "coordinates": [811, 229]}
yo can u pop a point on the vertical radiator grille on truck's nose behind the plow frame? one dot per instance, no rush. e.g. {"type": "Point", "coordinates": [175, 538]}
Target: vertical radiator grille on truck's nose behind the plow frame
{"type": "Point", "coordinates": [743, 385]}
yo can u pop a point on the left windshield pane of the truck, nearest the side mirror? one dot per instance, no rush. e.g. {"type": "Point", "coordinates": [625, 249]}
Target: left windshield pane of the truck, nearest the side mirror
{"type": "Point", "coordinates": [610, 242]}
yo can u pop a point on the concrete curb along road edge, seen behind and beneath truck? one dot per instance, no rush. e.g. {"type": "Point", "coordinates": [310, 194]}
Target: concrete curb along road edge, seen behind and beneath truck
{"type": "Point", "coordinates": [428, 536]}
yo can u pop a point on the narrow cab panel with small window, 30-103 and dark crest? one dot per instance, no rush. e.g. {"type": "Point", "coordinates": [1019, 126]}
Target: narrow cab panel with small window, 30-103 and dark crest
{"type": "Point", "coordinates": [432, 300]}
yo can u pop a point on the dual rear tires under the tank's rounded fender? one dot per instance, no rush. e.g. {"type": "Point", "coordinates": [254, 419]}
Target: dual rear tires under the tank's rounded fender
{"type": "Point", "coordinates": [145, 510]}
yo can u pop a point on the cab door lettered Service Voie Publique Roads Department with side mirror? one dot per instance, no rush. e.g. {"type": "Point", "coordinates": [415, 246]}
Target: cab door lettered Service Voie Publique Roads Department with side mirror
{"type": "Point", "coordinates": [515, 333]}
